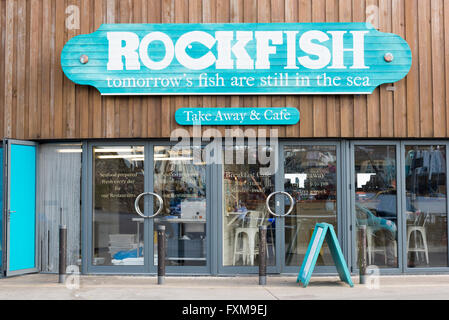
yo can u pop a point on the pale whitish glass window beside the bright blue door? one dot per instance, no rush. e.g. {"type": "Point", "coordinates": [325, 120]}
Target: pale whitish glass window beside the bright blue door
{"type": "Point", "coordinates": [59, 202]}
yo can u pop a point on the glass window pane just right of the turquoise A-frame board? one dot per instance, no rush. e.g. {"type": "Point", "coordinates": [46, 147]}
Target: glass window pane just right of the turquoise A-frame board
{"type": "Point", "coordinates": [376, 202]}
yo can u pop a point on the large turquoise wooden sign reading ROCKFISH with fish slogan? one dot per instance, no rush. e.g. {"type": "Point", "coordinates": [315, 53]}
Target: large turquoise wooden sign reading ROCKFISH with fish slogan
{"type": "Point", "coordinates": [236, 58]}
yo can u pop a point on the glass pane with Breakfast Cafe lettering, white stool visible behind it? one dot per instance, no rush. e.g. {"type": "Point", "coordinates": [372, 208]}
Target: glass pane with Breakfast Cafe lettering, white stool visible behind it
{"type": "Point", "coordinates": [245, 190]}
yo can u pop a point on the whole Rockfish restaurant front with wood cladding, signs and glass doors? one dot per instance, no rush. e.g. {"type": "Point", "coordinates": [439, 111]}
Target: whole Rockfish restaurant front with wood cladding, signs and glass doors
{"type": "Point", "coordinates": [201, 110]}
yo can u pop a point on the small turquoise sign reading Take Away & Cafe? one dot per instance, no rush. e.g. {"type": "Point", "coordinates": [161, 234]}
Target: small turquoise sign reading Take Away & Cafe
{"type": "Point", "coordinates": [237, 116]}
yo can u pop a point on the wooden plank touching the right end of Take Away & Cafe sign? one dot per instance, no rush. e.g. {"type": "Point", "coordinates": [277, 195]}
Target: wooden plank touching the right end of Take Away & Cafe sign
{"type": "Point", "coordinates": [305, 102]}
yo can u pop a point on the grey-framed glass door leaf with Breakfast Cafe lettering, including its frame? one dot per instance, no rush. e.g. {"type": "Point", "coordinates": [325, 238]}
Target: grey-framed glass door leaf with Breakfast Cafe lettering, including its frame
{"type": "Point", "coordinates": [248, 177]}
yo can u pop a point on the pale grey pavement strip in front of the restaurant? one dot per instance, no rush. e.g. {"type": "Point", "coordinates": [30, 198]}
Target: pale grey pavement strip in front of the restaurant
{"type": "Point", "coordinates": [93, 287]}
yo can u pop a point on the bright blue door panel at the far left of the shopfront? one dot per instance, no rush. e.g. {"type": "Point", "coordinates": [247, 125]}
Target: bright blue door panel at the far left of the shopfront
{"type": "Point", "coordinates": [21, 208]}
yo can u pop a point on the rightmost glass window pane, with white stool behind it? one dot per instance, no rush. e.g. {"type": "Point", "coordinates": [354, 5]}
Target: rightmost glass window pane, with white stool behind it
{"type": "Point", "coordinates": [426, 211]}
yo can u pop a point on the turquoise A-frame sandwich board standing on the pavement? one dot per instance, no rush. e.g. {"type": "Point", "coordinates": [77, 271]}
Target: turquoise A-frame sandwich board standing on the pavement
{"type": "Point", "coordinates": [323, 231]}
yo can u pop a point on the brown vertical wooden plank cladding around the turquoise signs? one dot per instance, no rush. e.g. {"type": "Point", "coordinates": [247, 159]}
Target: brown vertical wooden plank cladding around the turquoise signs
{"type": "Point", "coordinates": [37, 101]}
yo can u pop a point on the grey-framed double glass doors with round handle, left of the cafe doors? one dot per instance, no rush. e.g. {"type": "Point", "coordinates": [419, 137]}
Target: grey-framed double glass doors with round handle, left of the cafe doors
{"type": "Point", "coordinates": [120, 239]}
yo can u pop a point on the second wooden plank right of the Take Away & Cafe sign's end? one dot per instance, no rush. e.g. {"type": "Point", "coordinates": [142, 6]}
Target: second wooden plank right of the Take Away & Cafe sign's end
{"type": "Point", "coordinates": [319, 102]}
